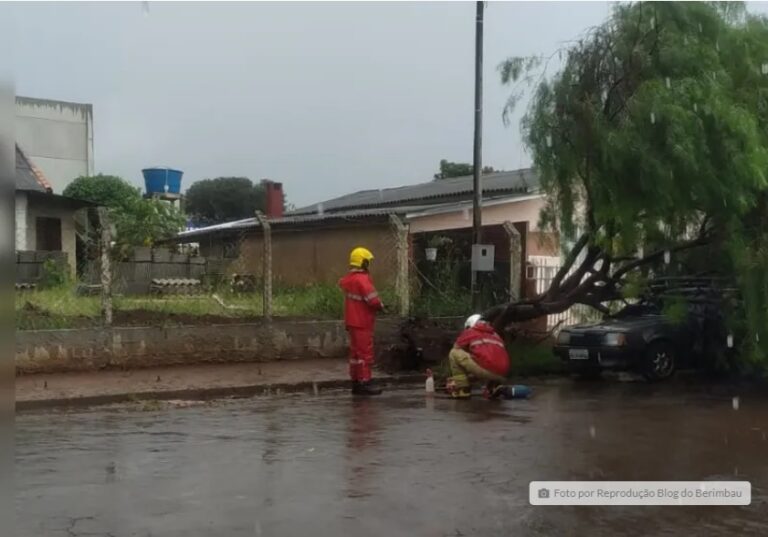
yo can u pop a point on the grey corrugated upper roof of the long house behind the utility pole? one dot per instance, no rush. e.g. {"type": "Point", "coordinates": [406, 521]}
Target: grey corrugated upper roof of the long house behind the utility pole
{"type": "Point", "coordinates": [520, 181]}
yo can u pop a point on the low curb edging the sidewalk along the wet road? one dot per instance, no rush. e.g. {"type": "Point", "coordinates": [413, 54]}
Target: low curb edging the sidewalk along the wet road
{"type": "Point", "coordinates": [204, 394]}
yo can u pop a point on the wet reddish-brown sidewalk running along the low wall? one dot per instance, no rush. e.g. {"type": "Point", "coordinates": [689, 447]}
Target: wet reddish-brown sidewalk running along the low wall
{"type": "Point", "coordinates": [187, 382]}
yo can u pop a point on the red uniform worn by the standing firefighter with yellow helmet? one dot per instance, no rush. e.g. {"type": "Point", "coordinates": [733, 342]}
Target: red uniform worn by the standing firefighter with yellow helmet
{"type": "Point", "coordinates": [361, 302]}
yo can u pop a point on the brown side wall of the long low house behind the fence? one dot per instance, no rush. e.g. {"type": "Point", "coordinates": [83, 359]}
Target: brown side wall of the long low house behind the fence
{"type": "Point", "coordinates": [320, 255]}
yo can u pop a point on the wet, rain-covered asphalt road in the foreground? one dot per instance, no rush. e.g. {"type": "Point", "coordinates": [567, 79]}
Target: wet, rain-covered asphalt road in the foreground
{"type": "Point", "coordinates": [398, 465]}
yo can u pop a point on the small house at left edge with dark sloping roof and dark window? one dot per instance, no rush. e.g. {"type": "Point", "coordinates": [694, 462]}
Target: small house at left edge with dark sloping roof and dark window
{"type": "Point", "coordinates": [45, 222]}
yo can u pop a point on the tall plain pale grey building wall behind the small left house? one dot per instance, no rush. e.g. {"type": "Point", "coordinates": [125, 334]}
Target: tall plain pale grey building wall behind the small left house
{"type": "Point", "coordinates": [57, 137]}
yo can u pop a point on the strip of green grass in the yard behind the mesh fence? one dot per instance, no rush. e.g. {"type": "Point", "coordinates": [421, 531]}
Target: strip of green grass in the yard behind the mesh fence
{"type": "Point", "coordinates": [62, 308]}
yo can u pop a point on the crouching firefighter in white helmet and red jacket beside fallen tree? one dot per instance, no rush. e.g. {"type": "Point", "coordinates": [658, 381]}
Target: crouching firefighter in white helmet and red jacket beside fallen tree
{"type": "Point", "coordinates": [478, 353]}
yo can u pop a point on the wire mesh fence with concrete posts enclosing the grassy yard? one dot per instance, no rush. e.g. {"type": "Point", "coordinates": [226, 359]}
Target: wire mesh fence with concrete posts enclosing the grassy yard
{"type": "Point", "coordinates": [217, 281]}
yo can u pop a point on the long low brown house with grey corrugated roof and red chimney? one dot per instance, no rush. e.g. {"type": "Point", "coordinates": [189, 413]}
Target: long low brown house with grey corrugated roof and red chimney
{"type": "Point", "coordinates": [311, 244]}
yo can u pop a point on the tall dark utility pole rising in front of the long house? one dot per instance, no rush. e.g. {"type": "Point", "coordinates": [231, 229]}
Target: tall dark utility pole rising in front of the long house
{"type": "Point", "coordinates": [477, 215]}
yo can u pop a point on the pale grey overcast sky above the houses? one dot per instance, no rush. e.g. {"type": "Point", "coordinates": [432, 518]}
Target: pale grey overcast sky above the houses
{"type": "Point", "coordinates": [328, 98]}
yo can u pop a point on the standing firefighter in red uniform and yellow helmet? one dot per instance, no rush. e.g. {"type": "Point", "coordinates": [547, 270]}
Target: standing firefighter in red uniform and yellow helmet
{"type": "Point", "coordinates": [361, 303]}
